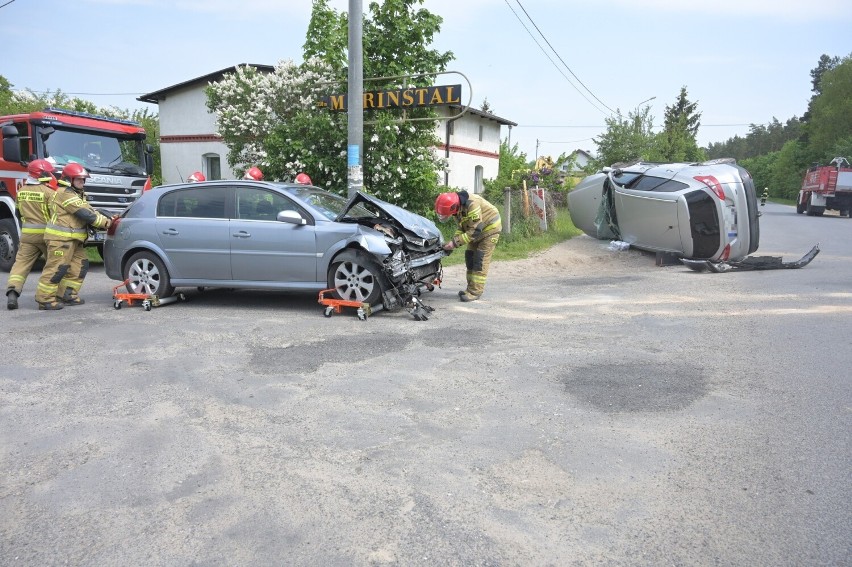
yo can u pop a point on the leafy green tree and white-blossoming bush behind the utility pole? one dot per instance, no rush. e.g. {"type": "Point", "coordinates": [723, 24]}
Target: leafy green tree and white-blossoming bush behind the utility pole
{"type": "Point", "coordinates": [273, 120]}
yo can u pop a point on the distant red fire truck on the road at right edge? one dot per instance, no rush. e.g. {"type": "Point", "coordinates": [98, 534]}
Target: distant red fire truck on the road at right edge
{"type": "Point", "coordinates": [827, 187]}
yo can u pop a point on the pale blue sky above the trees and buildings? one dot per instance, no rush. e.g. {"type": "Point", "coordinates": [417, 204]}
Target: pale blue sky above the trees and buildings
{"type": "Point", "coordinates": [557, 68]}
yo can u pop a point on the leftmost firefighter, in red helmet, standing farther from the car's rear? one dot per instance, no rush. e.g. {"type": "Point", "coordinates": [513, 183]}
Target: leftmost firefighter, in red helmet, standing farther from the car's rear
{"type": "Point", "coordinates": [33, 205]}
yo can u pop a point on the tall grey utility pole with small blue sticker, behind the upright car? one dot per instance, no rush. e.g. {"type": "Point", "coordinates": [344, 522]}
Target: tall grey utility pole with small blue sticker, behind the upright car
{"type": "Point", "coordinates": [355, 102]}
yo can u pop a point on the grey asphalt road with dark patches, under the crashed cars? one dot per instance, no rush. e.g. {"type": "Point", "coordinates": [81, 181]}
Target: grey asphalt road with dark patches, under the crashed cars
{"type": "Point", "coordinates": [592, 408]}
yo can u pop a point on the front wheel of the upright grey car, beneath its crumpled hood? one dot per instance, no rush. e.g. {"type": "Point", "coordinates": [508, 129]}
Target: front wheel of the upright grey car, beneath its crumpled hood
{"type": "Point", "coordinates": [355, 276]}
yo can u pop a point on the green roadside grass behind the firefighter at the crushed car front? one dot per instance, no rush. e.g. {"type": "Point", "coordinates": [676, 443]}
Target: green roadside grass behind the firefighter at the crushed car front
{"type": "Point", "coordinates": [520, 244]}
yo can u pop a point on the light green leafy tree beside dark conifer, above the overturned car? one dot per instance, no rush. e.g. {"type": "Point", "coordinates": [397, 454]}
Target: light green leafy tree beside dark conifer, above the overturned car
{"type": "Point", "coordinates": [626, 139]}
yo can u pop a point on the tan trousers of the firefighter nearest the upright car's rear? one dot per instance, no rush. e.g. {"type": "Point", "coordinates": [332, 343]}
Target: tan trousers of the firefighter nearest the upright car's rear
{"type": "Point", "coordinates": [63, 274]}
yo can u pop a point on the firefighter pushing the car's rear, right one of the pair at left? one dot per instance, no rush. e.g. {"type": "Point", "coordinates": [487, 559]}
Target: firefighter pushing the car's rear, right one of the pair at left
{"type": "Point", "coordinates": [67, 265]}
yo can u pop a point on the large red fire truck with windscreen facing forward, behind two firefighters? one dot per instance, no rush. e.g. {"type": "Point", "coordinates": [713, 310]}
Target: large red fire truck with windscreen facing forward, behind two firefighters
{"type": "Point", "coordinates": [113, 151]}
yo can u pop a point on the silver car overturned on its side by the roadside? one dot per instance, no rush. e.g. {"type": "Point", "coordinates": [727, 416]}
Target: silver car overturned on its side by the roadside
{"type": "Point", "coordinates": [703, 210]}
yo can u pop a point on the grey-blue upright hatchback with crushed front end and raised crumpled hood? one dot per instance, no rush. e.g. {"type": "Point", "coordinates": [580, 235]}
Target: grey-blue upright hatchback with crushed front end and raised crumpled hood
{"type": "Point", "coordinates": [249, 234]}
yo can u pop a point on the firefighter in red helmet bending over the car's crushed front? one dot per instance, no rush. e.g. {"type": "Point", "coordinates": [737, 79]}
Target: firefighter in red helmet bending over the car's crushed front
{"type": "Point", "coordinates": [478, 228]}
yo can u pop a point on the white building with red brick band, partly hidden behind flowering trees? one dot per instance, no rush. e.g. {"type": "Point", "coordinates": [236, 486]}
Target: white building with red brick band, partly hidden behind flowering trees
{"type": "Point", "coordinates": [188, 139]}
